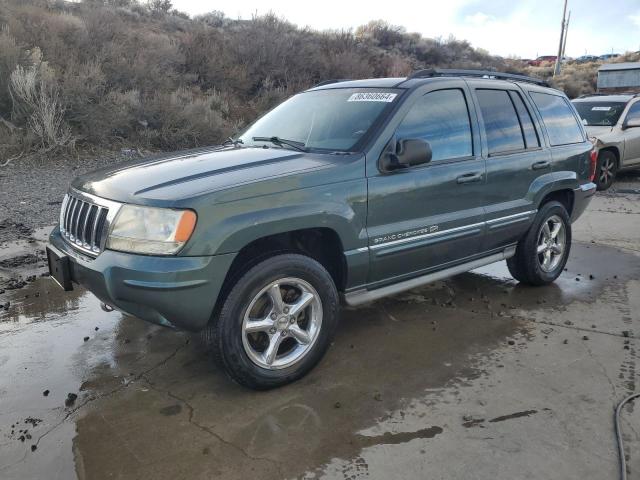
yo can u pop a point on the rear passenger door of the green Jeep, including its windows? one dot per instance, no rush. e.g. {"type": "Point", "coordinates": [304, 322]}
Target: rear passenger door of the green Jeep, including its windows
{"type": "Point", "coordinates": [515, 157]}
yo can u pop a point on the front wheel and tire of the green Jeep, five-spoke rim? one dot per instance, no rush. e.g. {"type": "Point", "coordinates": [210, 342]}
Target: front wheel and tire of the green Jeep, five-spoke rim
{"type": "Point", "coordinates": [277, 322]}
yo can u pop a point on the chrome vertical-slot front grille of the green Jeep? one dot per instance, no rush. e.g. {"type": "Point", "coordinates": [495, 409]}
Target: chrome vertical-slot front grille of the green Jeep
{"type": "Point", "coordinates": [82, 223]}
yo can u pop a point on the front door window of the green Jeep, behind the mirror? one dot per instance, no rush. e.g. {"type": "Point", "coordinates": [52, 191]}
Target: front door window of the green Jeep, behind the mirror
{"type": "Point", "coordinates": [442, 119]}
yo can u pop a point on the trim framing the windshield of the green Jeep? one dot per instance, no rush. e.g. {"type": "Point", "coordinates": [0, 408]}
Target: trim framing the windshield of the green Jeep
{"type": "Point", "coordinates": [363, 142]}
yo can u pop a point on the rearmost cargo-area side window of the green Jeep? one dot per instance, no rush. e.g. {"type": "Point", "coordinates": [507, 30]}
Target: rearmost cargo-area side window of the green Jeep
{"type": "Point", "coordinates": [562, 126]}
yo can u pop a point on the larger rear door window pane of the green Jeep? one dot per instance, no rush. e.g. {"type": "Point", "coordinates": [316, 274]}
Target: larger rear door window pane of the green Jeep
{"type": "Point", "coordinates": [500, 121]}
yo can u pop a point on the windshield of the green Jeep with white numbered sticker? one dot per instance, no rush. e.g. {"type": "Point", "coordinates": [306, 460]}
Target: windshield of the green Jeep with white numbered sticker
{"type": "Point", "coordinates": [334, 120]}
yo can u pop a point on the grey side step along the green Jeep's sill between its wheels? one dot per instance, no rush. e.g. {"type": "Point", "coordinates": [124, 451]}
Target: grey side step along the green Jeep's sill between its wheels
{"type": "Point", "coordinates": [360, 297]}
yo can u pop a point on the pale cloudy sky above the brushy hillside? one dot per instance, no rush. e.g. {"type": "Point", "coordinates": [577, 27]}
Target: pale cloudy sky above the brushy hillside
{"type": "Point", "coordinates": [521, 28]}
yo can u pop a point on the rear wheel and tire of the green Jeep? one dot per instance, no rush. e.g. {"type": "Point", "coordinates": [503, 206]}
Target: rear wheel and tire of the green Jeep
{"type": "Point", "coordinates": [543, 252]}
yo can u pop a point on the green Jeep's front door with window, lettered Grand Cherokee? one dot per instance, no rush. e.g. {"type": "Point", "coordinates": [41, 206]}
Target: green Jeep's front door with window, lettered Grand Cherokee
{"type": "Point", "coordinates": [429, 216]}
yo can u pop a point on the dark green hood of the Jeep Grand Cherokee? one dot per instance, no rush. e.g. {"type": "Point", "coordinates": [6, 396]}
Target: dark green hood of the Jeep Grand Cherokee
{"type": "Point", "coordinates": [182, 175]}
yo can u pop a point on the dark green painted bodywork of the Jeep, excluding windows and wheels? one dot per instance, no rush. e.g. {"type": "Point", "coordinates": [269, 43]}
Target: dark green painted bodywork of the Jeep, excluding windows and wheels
{"type": "Point", "coordinates": [392, 226]}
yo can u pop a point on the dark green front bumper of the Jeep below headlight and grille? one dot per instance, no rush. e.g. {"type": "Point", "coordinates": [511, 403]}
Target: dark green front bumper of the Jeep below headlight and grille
{"type": "Point", "coordinates": [173, 291]}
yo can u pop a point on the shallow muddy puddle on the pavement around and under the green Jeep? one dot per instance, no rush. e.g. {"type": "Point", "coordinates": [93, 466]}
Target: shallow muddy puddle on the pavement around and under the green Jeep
{"type": "Point", "coordinates": [150, 404]}
